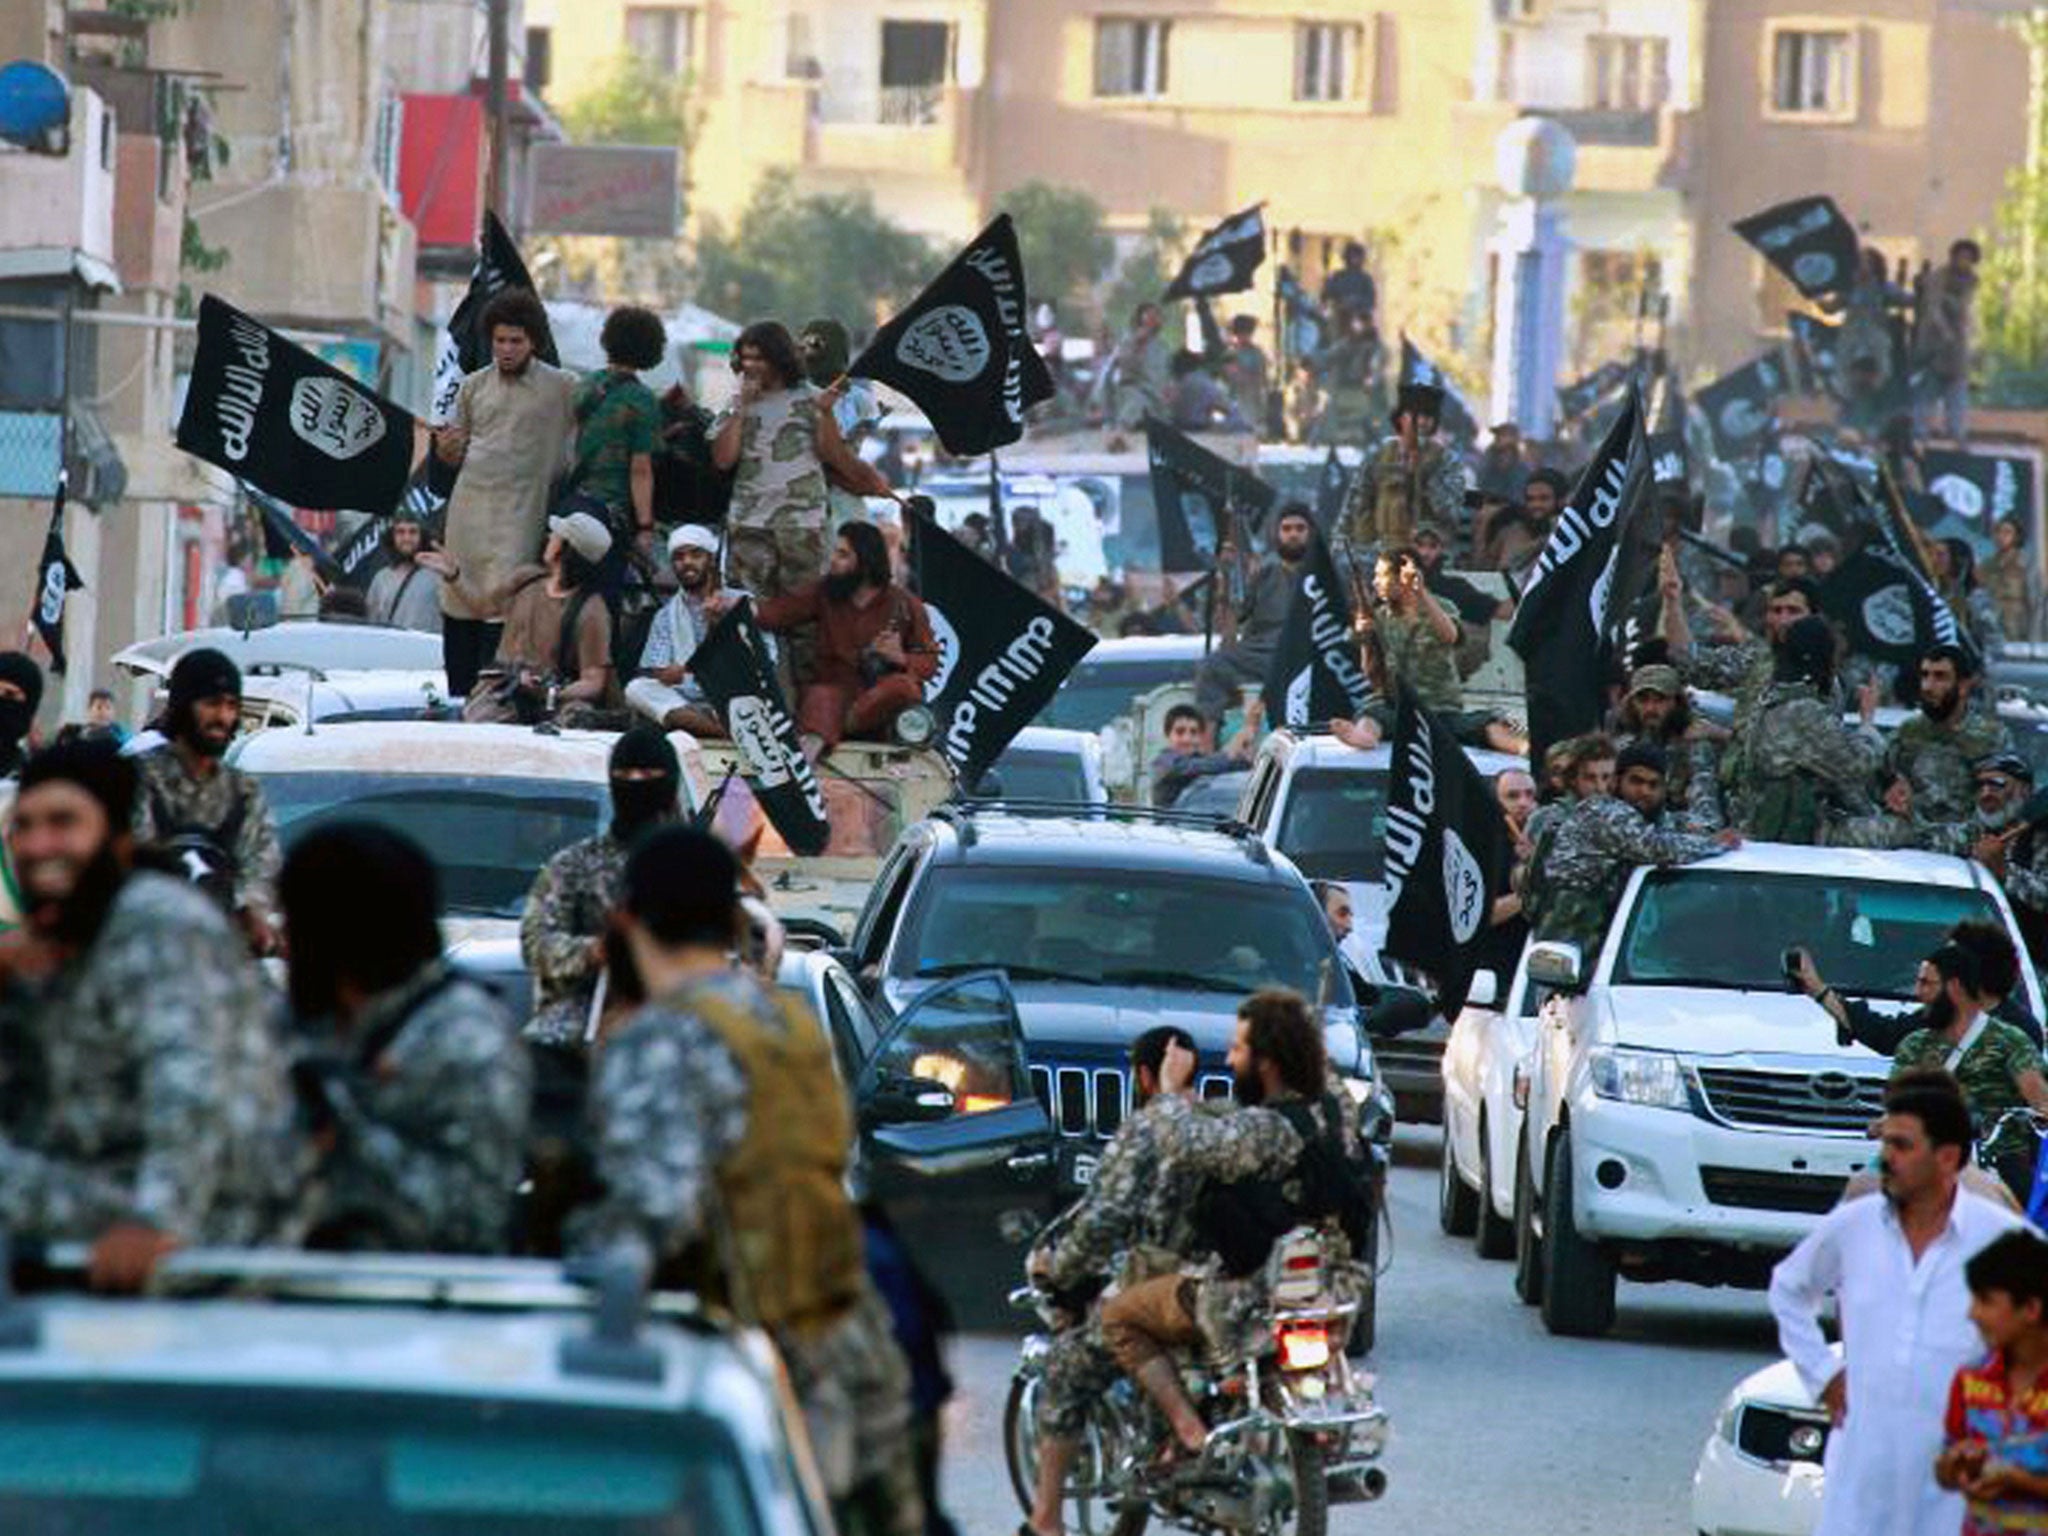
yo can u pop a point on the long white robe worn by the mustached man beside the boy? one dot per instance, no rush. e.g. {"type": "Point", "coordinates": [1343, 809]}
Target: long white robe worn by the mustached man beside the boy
{"type": "Point", "coordinates": [1906, 1330]}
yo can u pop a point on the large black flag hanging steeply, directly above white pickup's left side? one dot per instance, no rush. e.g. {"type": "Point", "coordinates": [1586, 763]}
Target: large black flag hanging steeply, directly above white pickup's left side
{"type": "Point", "coordinates": [1576, 595]}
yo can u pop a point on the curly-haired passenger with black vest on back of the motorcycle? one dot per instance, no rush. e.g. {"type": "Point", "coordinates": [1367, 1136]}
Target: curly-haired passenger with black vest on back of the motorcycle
{"type": "Point", "coordinates": [1265, 1164]}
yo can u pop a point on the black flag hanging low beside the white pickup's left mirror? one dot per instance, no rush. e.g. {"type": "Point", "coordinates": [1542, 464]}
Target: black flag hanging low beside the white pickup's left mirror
{"type": "Point", "coordinates": [1447, 857]}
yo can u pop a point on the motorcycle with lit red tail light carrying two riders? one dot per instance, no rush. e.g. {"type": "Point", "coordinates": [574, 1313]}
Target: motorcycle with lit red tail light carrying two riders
{"type": "Point", "coordinates": [1295, 1426]}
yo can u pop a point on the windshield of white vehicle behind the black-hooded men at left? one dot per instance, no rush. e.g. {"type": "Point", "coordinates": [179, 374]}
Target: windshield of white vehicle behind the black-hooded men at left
{"type": "Point", "coordinates": [488, 837]}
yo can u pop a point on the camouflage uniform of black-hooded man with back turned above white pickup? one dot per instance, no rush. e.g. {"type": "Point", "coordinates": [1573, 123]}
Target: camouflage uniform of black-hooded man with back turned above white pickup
{"type": "Point", "coordinates": [1803, 769]}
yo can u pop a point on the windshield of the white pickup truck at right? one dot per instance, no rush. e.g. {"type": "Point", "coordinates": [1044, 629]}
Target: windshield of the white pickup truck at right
{"type": "Point", "coordinates": [1732, 929]}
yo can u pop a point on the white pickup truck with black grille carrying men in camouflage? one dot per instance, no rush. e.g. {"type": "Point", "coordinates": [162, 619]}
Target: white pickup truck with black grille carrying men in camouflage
{"type": "Point", "coordinates": [1689, 1115]}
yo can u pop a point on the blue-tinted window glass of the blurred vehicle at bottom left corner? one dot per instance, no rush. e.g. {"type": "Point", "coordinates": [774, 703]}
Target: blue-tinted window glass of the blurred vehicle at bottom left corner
{"type": "Point", "coordinates": [198, 1463]}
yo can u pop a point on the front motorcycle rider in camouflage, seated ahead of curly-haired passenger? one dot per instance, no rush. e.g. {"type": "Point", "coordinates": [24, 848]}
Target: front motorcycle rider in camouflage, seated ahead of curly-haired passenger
{"type": "Point", "coordinates": [1140, 1207]}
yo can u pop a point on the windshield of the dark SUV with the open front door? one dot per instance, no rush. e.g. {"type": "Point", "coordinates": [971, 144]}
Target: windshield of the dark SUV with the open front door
{"type": "Point", "coordinates": [1107, 927]}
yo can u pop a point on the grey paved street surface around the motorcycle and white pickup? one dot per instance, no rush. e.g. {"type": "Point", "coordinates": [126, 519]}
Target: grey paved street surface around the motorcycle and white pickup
{"type": "Point", "coordinates": [1496, 1426]}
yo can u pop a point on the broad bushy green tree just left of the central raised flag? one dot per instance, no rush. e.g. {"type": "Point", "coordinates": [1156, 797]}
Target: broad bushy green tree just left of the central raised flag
{"type": "Point", "coordinates": [798, 257]}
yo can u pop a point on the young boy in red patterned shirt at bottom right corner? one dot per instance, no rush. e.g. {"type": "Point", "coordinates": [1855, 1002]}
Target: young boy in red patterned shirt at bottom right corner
{"type": "Point", "coordinates": [1998, 1410]}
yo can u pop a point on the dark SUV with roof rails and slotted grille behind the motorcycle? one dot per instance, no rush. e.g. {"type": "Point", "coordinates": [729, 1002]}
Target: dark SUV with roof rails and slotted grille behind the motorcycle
{"type": "Point", "coordinates": [1107, 923]}
